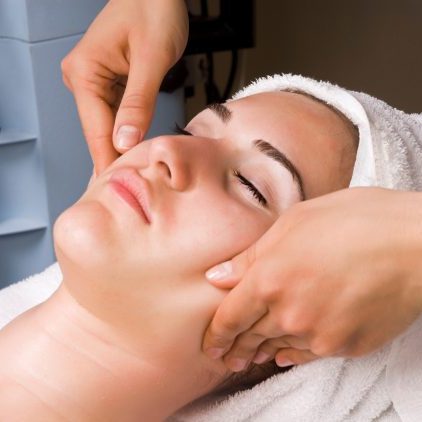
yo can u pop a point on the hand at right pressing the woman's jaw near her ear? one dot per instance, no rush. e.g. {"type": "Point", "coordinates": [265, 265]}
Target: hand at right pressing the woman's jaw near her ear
{"type": "Point", "coordinates": [338, 275]}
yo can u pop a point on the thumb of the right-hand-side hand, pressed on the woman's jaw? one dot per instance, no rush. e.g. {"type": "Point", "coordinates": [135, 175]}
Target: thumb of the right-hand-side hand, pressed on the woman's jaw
{"type": "Point", "coordinates": [228, 274]}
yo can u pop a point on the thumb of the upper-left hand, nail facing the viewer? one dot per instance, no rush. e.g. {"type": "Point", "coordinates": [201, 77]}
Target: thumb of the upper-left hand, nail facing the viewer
{"type": "Point", "coordinates": [137, 105]}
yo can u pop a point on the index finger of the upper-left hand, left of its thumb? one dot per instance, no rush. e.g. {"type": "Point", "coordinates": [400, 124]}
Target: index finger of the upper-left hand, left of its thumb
{"type": "Point", "coordinates": [97, 123]}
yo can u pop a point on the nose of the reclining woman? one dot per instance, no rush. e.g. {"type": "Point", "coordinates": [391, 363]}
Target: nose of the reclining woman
{"type": "Point", "coordinates": [169, 159]}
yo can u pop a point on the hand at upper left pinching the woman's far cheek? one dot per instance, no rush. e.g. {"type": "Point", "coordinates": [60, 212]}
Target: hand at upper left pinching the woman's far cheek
{"type": "Point", "coordinates": [126, 52]}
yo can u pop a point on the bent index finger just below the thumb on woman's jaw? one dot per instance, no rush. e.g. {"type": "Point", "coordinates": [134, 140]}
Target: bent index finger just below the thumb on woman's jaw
{"type": "Point", "coordinates": [236, 314]}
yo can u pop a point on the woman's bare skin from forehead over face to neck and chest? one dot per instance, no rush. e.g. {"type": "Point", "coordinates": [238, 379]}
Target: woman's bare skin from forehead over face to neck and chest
{"type": "Point", "coordinates": [133, 287]}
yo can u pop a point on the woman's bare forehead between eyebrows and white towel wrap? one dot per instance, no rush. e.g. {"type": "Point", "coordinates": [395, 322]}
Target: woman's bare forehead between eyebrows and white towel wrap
{"type": "Point", "coordinates": [309, 133]}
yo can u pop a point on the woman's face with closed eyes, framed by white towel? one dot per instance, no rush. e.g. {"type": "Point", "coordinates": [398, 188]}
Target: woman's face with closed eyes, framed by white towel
{"type": "Point", "coordinates": [207, 195]}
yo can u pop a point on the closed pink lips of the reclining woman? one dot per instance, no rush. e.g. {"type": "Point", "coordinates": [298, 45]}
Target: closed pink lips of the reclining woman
{"type": "Point", "coordinates": [133, 189]}
